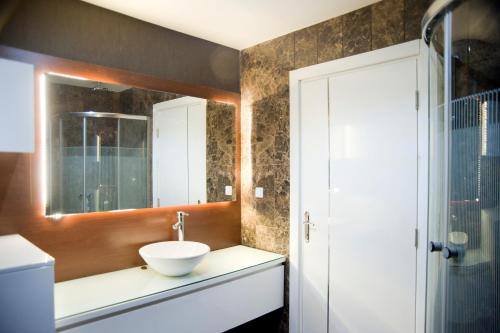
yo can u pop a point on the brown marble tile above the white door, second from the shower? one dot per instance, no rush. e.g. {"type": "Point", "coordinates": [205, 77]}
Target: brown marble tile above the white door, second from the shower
{"type": "Point", "coordinates": [387, 23]}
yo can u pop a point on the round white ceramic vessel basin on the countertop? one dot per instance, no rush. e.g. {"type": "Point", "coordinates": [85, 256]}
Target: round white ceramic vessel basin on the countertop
{"type": "Point", "coordinates": [174, 258]}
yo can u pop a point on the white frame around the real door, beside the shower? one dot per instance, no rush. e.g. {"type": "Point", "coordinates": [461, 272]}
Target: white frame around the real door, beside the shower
{"type": "Point", "coordinates": [418, 50]}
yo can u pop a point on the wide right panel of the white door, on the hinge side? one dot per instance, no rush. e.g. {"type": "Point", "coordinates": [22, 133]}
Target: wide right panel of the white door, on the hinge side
{"type": "Point", "coordinates": [374, 199]}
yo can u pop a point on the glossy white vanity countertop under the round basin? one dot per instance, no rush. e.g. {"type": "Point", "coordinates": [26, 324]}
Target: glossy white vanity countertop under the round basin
{"type": "Point", "coordinates": [99, 295]}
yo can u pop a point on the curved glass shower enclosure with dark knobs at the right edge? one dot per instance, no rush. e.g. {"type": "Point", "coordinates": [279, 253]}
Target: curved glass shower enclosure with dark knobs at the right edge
{"type": "Point", "coordinates": [463, 268]}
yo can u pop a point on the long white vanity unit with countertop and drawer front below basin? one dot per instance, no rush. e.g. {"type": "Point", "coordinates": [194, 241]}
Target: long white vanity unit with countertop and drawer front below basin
{"type": "Point", "coordinates": [230, 287]}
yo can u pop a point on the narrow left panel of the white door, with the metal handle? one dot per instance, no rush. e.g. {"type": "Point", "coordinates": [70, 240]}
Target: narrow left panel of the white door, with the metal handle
{"type": "Point", "coordinates": [314, 197]}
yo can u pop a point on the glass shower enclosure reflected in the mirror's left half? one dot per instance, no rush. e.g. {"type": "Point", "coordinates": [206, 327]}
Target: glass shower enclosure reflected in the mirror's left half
{"type": "Point", "coordinates": [98, 162]}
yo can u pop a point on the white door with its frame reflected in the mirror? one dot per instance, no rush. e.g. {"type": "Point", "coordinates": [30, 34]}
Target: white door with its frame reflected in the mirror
{"type": "Point", "coordinates": [179, 152]}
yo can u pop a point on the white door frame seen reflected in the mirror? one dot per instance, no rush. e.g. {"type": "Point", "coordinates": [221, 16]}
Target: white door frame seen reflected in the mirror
{"type": "Point", "coordinates": [162, 107]}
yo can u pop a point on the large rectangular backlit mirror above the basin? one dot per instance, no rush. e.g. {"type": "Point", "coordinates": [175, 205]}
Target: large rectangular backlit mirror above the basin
{"type": "Point", "coordinates": [114, 147]}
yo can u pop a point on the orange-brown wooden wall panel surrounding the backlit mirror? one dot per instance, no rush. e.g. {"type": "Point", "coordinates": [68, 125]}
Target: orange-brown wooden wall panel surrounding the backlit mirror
{"type": "Point", "coordinates": [87, 244]}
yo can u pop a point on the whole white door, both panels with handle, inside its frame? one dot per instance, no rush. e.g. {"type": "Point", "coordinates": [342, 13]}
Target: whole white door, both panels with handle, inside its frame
{"type": "Point", "coordinates": [358, 185]}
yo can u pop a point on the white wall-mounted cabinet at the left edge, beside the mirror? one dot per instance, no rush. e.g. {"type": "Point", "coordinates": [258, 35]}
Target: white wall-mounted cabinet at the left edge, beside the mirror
{"type": "Point", "coordinates": [17, 125]}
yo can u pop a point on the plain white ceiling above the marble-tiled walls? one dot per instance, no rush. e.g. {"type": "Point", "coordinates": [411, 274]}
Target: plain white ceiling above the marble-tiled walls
{"type": "Point", "coordinates": [235, 23]}
